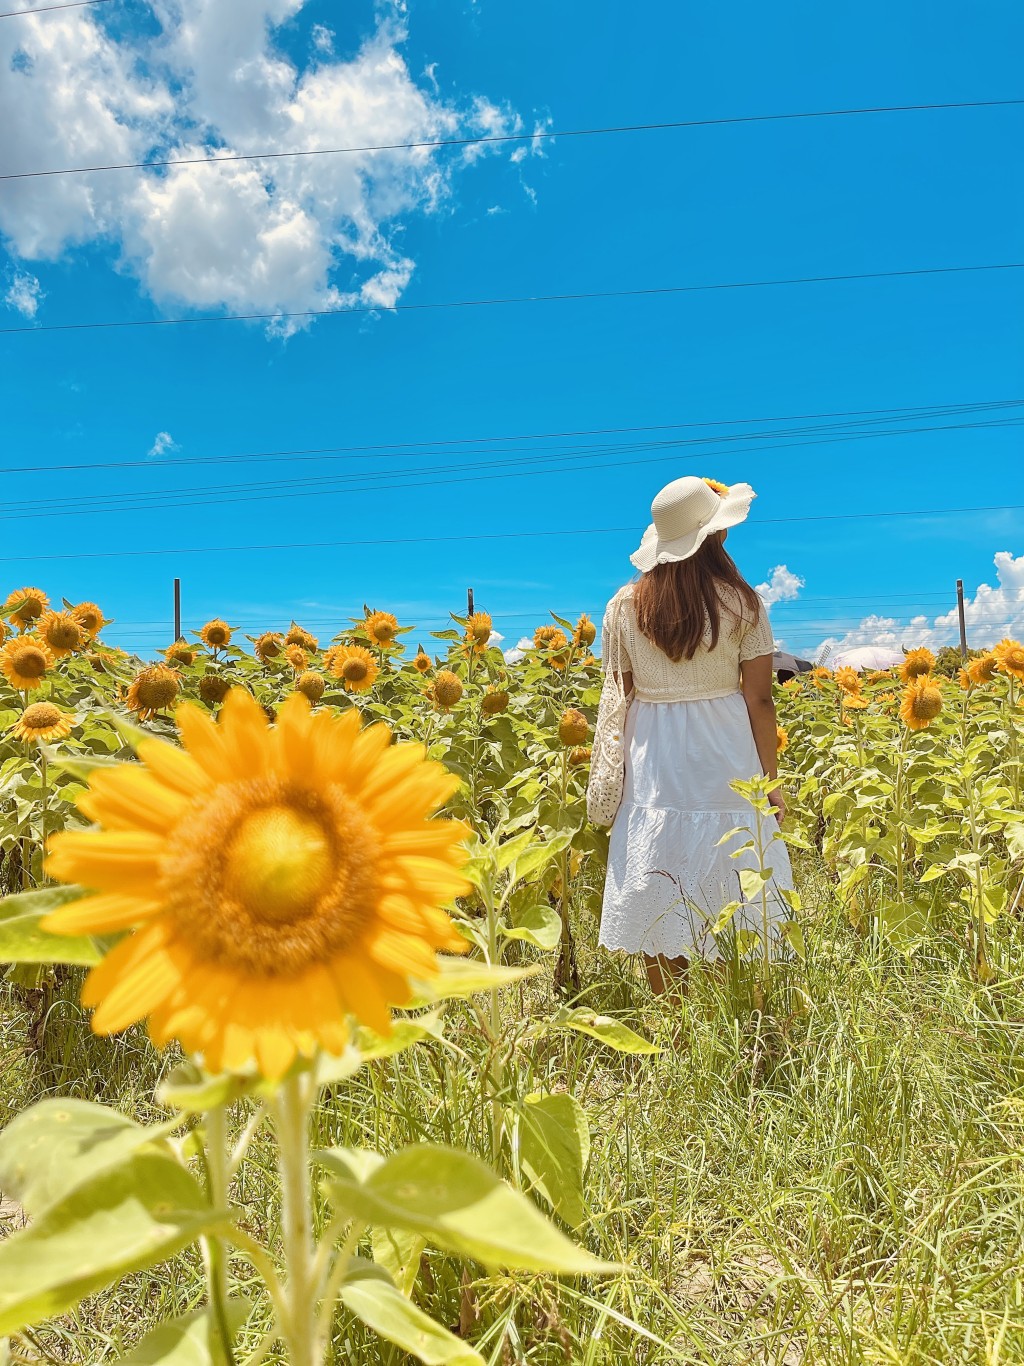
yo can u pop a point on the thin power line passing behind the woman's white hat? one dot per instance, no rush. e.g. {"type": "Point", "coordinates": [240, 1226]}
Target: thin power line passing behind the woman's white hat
{"type": "Point", "coordinates": [488, 536]}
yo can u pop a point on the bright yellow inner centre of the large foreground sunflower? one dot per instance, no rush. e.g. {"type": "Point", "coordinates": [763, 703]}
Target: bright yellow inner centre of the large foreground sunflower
{"type": "Point", "coordinates": [279, 863]}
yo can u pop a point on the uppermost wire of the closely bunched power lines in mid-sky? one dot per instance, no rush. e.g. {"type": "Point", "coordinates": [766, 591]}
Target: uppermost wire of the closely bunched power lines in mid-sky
{"type": "Point", "coordinates": [413, 449]}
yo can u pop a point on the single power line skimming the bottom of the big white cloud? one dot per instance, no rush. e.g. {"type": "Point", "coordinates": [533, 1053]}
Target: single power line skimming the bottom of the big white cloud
{"type": "Point", "coordinates": [525, 298]}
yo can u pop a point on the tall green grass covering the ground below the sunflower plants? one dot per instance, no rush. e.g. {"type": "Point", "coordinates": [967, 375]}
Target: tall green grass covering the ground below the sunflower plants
{"type": "Point", "coordinates": [836, 1180]}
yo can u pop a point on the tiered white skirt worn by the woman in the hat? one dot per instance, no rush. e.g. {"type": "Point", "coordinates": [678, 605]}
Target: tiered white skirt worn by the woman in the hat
{"type": "Point", "coordinates": [668, 876]}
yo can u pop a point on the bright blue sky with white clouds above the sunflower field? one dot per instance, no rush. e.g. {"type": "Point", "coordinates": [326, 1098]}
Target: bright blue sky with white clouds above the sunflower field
{"type": "Point", "coordinates": [577, 215]}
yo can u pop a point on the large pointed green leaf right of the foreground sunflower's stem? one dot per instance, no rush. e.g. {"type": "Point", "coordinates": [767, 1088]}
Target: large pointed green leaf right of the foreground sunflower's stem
{"type": "Point", "coordinates": [461, 1205]}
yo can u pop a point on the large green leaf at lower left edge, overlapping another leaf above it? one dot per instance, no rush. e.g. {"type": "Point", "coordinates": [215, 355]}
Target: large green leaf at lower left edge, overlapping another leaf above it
{"type": "Point", "coordinates": [122, 1221]}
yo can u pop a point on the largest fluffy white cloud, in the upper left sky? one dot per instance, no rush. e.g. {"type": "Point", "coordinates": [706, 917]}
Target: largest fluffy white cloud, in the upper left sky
{"type": "Point", "coordinates": [291, 234]}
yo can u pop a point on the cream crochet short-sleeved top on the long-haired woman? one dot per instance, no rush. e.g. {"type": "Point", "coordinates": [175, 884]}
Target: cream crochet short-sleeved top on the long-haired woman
{"type": "Point", "coordinates": [712, 673]}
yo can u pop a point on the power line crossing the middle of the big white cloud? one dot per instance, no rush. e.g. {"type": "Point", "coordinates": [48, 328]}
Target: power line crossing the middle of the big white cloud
{"type": "Point", "coordinates": [513, 137]}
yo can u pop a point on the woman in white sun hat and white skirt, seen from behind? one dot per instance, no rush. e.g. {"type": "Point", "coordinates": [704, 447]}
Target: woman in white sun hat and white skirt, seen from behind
{"type": "Point", "coordinates": [692, 643]}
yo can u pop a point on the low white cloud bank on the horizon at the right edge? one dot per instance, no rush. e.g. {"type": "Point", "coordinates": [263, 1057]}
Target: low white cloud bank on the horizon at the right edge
{"type": "Point", "coordinates": [991, 615]}
